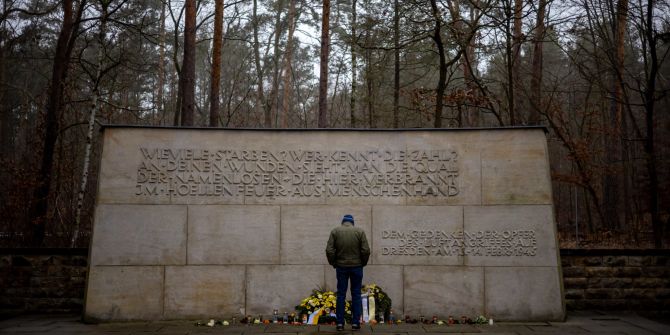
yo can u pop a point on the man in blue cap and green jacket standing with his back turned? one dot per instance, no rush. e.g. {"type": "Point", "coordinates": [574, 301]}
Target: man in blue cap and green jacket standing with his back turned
{"type": "Point", "coordinates": [348, 252]}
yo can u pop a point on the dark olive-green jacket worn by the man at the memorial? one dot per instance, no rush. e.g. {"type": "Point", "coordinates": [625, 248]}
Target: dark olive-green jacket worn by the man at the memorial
{"type": "Point", "coordinates": [347, 246]}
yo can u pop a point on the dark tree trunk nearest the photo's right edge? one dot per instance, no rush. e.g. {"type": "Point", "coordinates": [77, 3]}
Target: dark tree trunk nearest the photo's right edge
{"type": "Point", "coordinates": [649, 148]}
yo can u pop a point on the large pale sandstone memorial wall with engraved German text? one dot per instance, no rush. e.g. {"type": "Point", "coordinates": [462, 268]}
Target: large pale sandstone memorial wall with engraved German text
{"type": "Point", "coordinates": [198, 223]}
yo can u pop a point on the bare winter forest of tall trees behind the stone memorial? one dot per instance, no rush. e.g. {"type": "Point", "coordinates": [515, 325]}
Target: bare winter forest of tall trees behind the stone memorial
{"type": "Point", "coordinates": [594, 72]}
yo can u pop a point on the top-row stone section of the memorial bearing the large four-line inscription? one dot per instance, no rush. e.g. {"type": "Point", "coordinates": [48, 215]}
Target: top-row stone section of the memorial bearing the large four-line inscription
{"type": "Point", "coordinates": [247, 167]}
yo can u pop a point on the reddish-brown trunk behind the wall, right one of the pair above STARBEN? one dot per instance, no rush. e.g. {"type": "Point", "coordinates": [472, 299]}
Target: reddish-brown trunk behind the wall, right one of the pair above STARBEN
{"type": "Point", "coordinates": [215, 85]}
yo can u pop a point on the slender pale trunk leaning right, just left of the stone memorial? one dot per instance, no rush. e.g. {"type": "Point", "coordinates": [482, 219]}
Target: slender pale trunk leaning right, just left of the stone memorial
{"type": "Point", "coordinates": [91, 121]}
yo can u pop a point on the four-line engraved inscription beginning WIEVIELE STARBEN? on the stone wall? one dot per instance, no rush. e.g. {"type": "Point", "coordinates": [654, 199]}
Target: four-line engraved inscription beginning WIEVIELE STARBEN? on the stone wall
{"type": "Point", "coordinates": [192, 172]}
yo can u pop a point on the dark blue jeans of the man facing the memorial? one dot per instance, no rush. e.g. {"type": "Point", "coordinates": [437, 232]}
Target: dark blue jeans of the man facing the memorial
{"type": "Point", "coordinates": [355, 274]}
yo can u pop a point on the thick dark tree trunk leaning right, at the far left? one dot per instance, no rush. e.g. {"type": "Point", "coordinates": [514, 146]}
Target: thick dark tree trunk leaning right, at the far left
{"type": "Point", "coordinates": [64, 46]}
